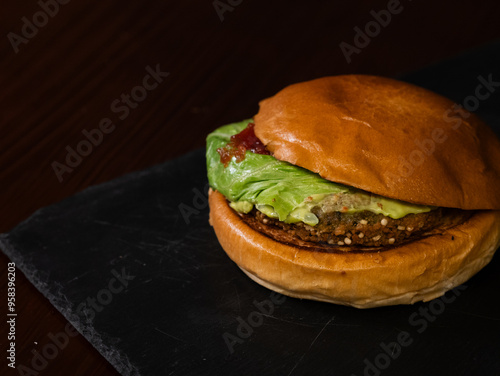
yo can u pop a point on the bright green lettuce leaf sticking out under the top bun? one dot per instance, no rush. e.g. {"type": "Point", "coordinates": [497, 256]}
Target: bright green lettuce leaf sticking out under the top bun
{"type": "Point", "coordinates": [280, 186]}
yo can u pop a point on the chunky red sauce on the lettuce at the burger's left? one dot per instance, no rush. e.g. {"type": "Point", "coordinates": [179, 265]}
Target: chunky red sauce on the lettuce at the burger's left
{"type": "Point", "coordinates": [240, 143]}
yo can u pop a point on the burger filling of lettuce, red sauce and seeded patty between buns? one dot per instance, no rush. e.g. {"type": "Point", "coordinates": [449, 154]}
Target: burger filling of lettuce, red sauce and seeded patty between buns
{"type": "Point", "coordinates": [294, 205]}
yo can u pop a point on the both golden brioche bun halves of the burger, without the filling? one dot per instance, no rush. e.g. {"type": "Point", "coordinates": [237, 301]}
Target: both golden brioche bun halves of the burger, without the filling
{"type": "Point", "coordinates": [392, 139]}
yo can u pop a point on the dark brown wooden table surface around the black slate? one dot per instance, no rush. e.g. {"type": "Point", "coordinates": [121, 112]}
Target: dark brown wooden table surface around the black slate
{"type": "Point", "coordinates": [68, 66]}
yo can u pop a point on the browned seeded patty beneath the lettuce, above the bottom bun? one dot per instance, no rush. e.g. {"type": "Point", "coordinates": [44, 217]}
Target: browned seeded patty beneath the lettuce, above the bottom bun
{"type": "Point", "coordinates": [363, 231]}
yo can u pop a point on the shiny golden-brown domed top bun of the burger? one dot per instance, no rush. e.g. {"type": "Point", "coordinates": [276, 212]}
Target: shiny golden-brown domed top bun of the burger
{"type": "Point", "coordinates": [387, 137]}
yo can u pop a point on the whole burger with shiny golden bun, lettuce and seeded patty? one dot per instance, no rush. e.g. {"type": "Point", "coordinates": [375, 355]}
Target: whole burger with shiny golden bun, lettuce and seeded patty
{"type": "Point", "coordinates": [356, 190]}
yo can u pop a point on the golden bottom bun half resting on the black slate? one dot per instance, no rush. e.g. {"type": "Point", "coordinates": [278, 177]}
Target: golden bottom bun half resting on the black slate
{"type": "Point", "coordinates": [419, 271]}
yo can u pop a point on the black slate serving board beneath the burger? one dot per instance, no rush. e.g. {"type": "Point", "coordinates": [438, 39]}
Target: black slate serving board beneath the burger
{"type": "Point", "coordinates": [185, 294]}
